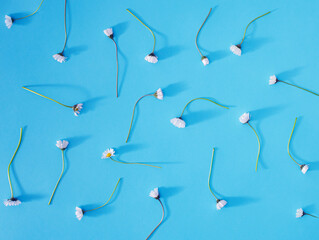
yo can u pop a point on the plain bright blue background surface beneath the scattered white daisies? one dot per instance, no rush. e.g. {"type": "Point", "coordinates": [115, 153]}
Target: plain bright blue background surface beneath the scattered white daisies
{"type": "Point", "coordinates": [261, 205]}
